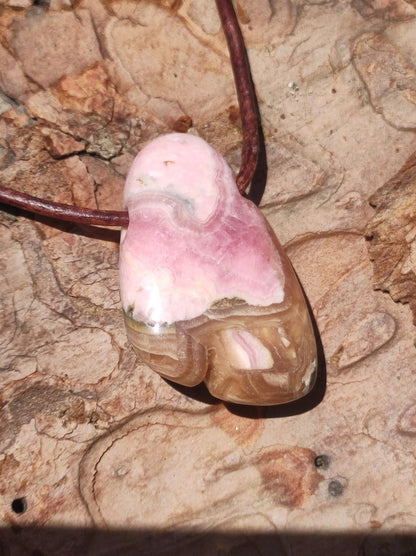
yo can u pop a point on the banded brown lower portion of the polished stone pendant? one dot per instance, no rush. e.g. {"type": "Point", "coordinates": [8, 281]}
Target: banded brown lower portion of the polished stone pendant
{"type": "Point", "coordinates": [244, 354]}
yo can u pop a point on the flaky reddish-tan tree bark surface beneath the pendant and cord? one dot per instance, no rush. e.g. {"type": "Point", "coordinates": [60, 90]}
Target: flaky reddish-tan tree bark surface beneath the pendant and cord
{"type": "Point", "coordinates": [98, 454]}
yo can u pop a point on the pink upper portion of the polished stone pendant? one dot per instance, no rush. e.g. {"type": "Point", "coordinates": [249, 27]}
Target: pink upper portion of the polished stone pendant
{"type": "Point", "coordinates": [192, 238]}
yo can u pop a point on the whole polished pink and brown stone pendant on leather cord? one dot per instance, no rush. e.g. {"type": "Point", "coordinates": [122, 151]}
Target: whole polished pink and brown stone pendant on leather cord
{"type": "Point", "coordinates": [207, 291]}
